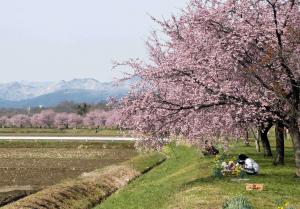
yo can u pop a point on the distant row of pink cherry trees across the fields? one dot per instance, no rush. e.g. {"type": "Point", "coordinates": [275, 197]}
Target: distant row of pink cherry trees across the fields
{"type": "Point", "coordinates": [51, 119]}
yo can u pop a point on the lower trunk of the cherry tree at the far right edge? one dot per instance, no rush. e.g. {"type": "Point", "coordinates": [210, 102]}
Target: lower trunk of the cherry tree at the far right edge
{"type": "Point", "coordinates": [295, 135]}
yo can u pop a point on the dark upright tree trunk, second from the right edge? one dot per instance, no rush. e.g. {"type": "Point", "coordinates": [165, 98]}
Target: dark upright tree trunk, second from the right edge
{"type": "Point", "coordinates": [279, 132]}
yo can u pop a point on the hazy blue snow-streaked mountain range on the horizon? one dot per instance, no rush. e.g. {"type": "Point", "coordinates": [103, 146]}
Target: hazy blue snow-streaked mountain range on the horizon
{"type": "Point", "coordinates": [32, 94]}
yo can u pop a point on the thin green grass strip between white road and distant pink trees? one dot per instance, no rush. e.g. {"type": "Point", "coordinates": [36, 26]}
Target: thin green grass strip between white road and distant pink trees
{"type": "Point", "coordinates": [59, 132]}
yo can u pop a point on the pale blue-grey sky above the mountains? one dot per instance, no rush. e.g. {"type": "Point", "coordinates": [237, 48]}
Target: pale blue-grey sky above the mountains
{"type": "Point", "coordinates": [51, 40]}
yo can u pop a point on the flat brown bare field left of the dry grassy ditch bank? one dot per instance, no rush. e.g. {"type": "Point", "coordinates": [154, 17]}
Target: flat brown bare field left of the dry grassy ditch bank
{"type": "Point", "coordinates": [26, 167]}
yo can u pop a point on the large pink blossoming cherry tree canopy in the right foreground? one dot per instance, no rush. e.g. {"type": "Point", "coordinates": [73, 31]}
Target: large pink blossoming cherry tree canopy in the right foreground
{"type": "Point", "coordinates": [222, 67]}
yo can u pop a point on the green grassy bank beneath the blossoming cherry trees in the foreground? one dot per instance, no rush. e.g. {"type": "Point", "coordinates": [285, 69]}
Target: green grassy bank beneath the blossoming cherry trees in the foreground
{"type": "Point", "coordinates": [185, 180]}
